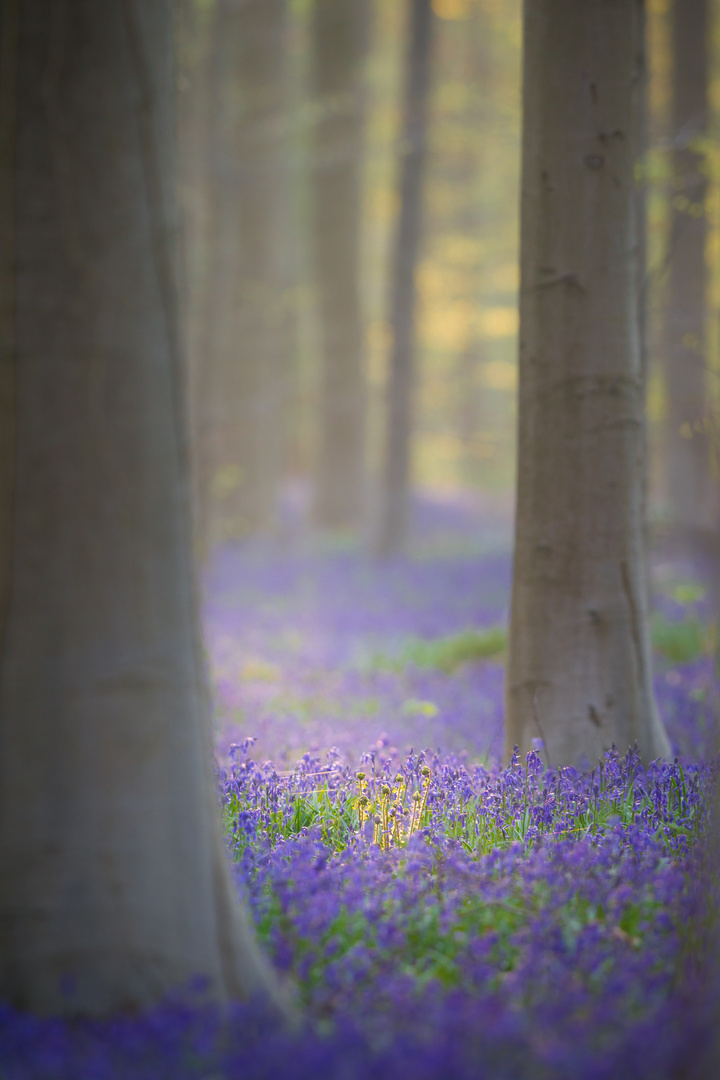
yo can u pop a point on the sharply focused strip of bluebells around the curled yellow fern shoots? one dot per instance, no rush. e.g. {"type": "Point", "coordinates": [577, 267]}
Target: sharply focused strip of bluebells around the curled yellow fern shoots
{"type": "Point", "coordinates": [482, 812]}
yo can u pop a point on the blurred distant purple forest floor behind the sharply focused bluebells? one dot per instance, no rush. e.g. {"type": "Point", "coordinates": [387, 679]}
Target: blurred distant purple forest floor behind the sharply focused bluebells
{"type": "Point", "coordinates": [317, 646]}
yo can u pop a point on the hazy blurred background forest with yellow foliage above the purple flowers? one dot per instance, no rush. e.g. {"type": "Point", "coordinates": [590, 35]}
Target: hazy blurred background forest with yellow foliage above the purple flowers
{"type": "Point", "coordinates": [294, 142]}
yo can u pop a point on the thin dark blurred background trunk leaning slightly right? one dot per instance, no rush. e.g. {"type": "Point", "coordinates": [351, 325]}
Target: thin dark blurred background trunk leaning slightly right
{"type": "Point", "coordinates": [395, 511]}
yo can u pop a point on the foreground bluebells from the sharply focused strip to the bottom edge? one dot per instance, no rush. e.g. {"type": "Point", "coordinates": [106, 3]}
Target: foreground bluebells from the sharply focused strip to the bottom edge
{"type": "Point", "coordinates": [538, 925]}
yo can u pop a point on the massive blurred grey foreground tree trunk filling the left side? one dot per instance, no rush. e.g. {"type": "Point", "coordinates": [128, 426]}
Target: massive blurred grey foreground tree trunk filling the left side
{"type": "Point", "coordinates": [114, 882]}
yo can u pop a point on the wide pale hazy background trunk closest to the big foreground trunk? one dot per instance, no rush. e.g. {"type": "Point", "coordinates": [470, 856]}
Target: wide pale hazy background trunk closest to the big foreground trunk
{"type": "Point", "coordinates": [244, 361]}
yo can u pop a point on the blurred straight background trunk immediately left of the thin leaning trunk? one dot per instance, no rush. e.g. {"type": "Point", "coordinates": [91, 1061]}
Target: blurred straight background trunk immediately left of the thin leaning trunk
{"type": "Point", "coordinates": [339, 33]}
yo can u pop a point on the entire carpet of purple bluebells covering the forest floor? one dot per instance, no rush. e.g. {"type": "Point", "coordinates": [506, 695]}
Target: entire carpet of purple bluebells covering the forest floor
{"type": "Point", "coordinates": [437, 915]}
